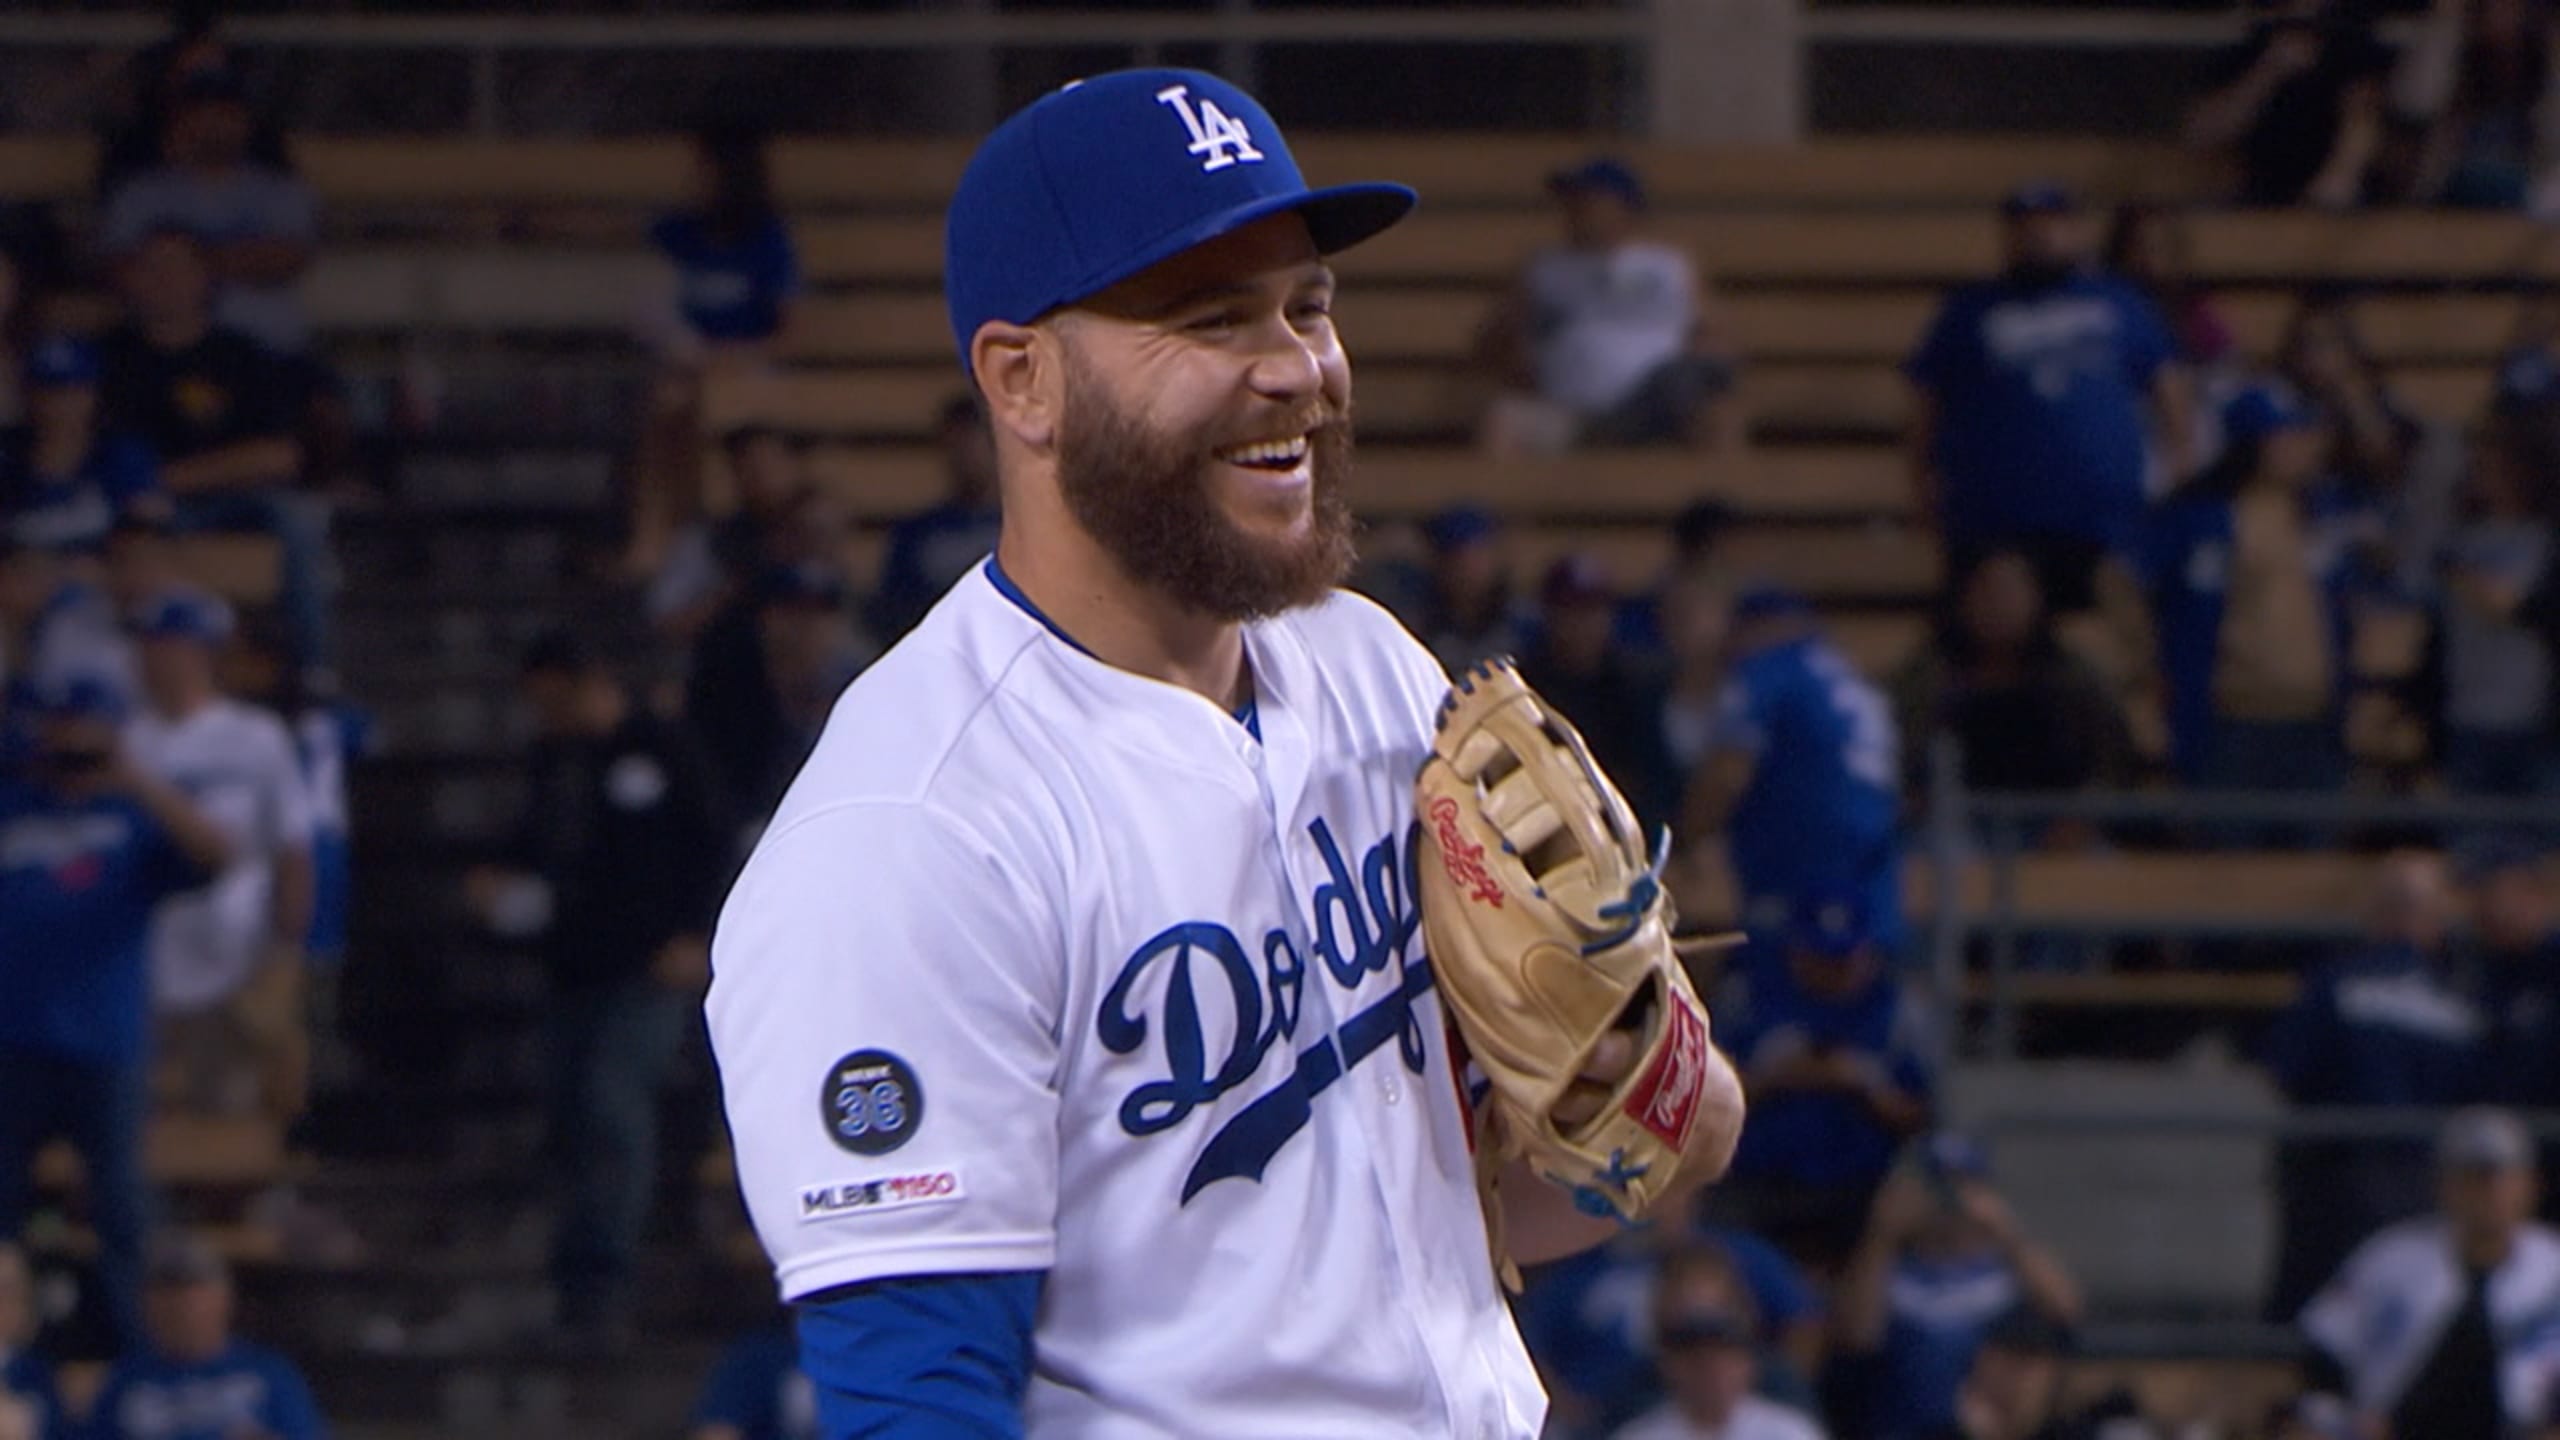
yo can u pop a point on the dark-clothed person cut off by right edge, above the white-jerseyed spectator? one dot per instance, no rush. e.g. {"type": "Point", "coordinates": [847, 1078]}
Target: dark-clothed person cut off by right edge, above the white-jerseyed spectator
{"type": "Point", "coordinates": [2520, 960]}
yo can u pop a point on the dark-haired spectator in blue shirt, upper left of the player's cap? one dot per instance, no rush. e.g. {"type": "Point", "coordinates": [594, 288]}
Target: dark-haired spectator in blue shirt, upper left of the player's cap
{"type": "Point", "coordinates": [736, 270]}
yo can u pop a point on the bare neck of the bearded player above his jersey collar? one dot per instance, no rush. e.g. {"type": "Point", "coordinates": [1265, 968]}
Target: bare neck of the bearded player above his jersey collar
{"type": "Point", "coordinates": [1128, 624]}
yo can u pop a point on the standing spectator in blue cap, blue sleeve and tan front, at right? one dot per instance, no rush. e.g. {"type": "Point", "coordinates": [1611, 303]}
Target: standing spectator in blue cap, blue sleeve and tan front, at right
{"type": "Point", "coordinates": [2252, 637]}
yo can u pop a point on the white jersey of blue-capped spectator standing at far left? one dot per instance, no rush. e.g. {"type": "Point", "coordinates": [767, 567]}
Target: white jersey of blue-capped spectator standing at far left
{"type": "Point", "coordinates": [239, 767]}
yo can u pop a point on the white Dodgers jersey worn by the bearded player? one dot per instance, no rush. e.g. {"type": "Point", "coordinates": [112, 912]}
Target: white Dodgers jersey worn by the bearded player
{"type": "Point", "coordinates": [1053, 967]}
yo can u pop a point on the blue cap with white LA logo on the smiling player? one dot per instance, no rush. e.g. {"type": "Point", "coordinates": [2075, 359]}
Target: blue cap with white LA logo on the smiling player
{"type": "Point", "coordinates": [1117, 173]}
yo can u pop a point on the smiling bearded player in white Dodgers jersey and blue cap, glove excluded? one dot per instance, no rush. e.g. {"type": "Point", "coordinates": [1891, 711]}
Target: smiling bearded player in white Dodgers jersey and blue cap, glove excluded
{"type": "Point", "coordinates": [1076, 1034]}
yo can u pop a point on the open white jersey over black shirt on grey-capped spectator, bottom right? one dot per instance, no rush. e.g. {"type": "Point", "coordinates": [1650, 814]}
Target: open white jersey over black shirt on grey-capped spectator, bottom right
{"type": "Point", "coordinates": [2387, 1308]}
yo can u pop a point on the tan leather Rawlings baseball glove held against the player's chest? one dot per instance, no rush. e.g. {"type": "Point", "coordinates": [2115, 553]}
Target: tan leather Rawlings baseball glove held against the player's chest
{"type": "Point", "coordinates": [1553, 947]}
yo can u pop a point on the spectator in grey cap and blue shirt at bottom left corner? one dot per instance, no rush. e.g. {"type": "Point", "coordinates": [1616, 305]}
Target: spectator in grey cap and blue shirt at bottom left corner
{"type": "Point", "coordinates": [196, 1380]}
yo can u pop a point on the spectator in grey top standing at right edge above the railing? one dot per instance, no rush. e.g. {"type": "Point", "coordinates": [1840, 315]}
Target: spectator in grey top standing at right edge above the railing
{"type": "Point", "coordinates": [2500, 670]}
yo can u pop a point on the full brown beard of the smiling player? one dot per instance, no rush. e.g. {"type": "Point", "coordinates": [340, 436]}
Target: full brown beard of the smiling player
{"type": "Point", "coordinates": [1146, 501]}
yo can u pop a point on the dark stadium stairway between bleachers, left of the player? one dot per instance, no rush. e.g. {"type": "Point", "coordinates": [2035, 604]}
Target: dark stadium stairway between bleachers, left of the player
{"type": "Point", "coordinates": [431, 1154]}
